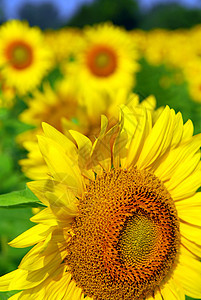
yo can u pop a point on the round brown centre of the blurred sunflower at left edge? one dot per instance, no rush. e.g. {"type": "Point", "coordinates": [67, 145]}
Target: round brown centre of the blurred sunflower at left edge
{"type": "Point", "coordinates": [19, 55]}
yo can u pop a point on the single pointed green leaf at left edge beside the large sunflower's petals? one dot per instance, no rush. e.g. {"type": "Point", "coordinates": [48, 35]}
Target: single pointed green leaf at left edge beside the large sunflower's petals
{"type": "Point", "coordinates": [24, 198]}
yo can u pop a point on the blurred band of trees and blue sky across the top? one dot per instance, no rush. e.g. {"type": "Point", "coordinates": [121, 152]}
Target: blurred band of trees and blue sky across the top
{"type": "Point", "coordinates": [145, 14]}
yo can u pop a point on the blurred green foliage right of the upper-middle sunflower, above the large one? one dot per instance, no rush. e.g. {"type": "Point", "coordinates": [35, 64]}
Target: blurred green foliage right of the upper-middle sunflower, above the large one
{"type": "Point", "coordinates": [175, 95]}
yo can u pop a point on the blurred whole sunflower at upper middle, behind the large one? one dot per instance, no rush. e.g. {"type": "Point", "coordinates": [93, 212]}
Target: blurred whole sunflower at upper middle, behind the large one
{"type": "Point", "coordinates": [106, 60]}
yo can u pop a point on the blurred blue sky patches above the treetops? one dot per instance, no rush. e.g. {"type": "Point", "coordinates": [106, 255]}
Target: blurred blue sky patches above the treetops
{"type": "Point", "coordinates": [68, 7]}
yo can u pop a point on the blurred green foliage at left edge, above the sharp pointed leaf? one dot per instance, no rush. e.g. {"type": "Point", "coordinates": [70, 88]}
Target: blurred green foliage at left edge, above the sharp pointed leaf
{"type": "Point", "coordinates": [11, 177]}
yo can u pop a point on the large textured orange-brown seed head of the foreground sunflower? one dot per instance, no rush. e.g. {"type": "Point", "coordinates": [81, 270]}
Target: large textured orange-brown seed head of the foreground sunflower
{"type": "Point", "coordinates": [125, 239]}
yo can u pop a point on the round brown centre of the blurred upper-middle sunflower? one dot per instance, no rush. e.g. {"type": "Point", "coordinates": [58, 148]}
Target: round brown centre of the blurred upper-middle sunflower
{"type": "Point", "coordinates": [101, 61]}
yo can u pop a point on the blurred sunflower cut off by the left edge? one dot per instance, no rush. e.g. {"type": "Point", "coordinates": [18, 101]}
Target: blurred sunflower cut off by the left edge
{"type": "Point", "coordinates": [24, 57]}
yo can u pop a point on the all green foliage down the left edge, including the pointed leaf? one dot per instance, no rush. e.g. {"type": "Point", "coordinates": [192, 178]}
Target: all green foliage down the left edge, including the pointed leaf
{"type": "Point", "coordinates": [13, 221]}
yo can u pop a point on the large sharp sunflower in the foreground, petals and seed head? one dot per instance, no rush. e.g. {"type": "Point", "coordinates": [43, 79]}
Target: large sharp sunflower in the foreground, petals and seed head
{"type": "Point", "coordinates": [122, 220]}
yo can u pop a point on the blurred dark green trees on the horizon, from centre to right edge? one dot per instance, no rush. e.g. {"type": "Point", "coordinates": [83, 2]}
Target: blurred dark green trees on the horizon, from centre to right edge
{"type": "Point", "coordinates": [126, 13]}
